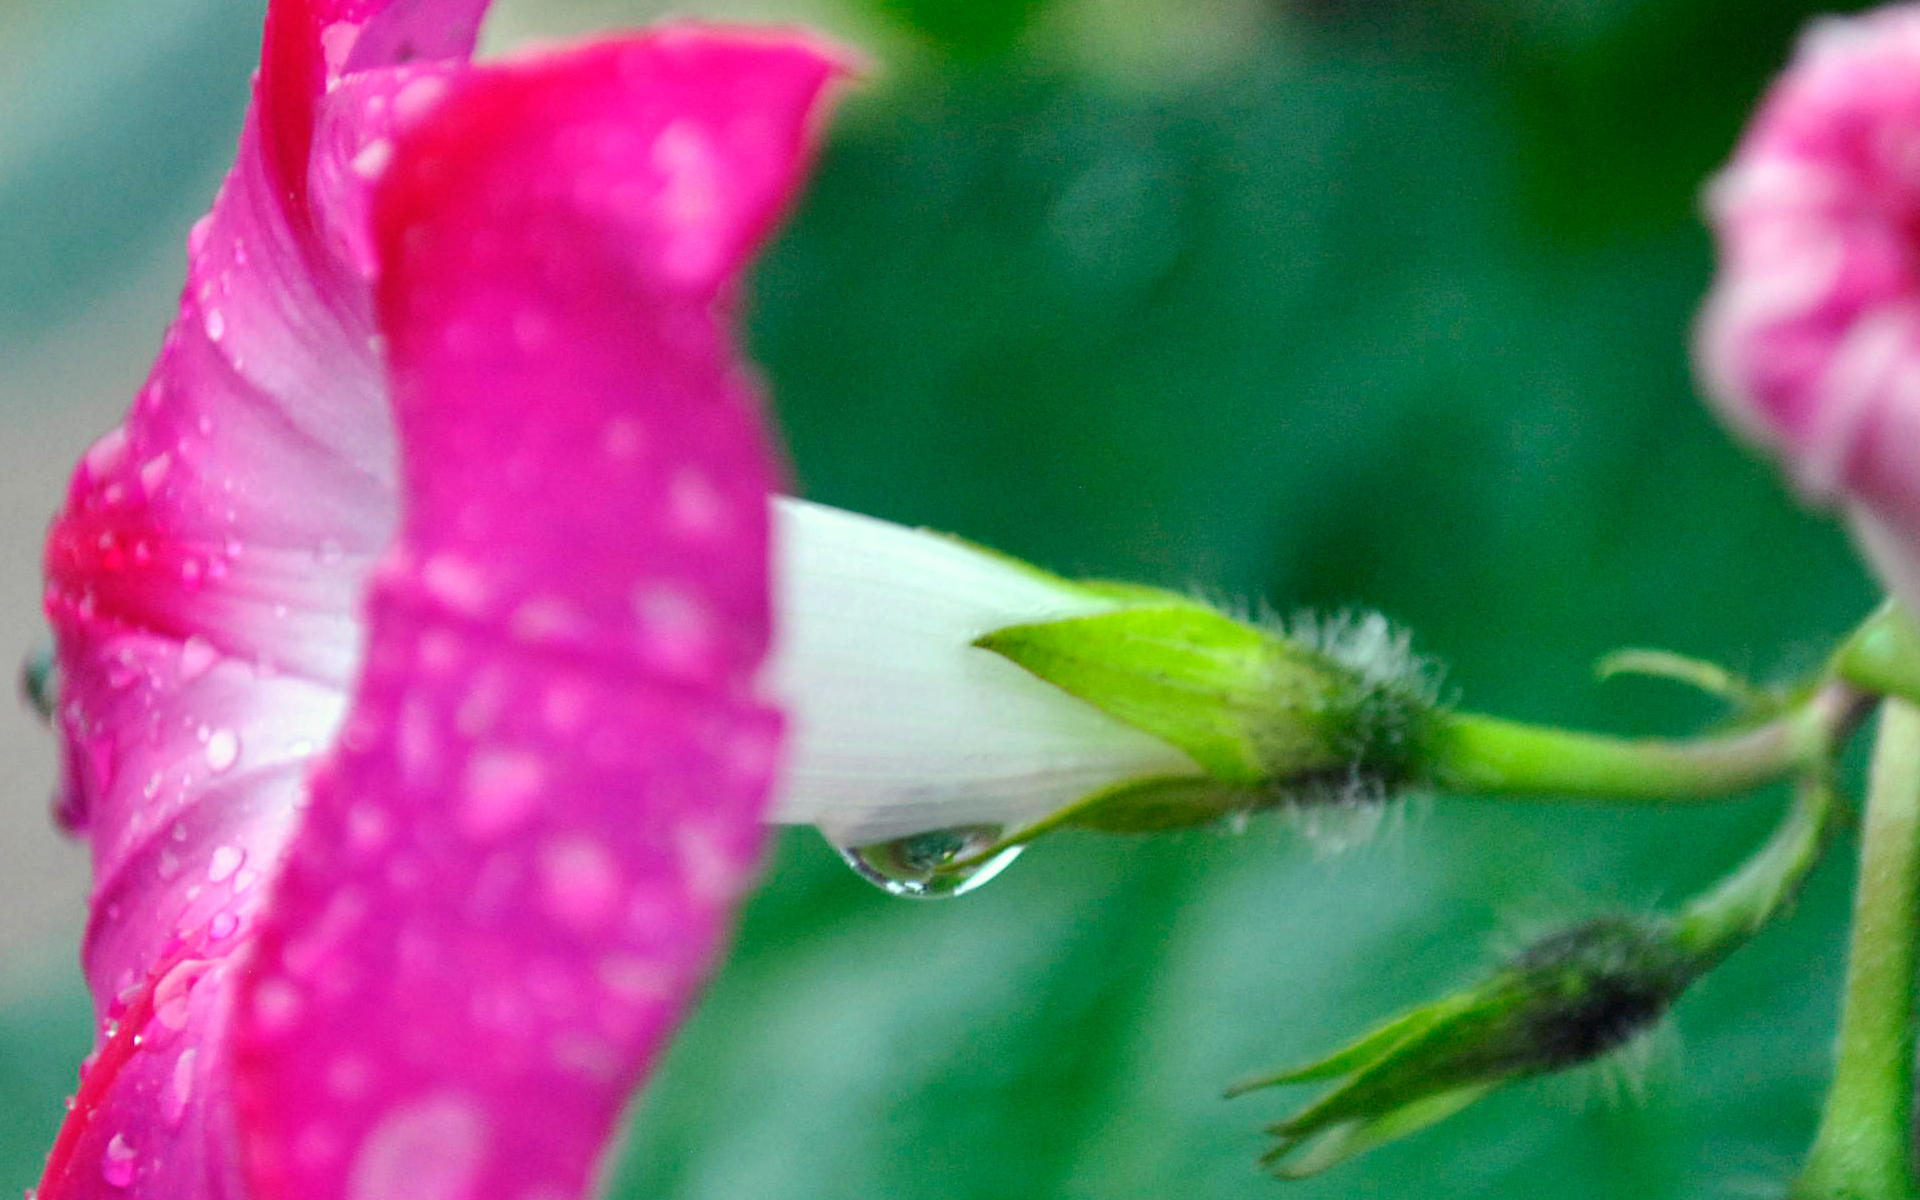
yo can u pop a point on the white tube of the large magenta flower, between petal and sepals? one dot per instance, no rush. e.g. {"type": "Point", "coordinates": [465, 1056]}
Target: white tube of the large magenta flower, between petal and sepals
{"type": "Point", "coordinates": [900, 725]}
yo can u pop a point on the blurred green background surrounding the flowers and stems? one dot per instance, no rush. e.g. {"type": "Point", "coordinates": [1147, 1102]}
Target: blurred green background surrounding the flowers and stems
{"type": "Point", "coordinates": [1312, 304]}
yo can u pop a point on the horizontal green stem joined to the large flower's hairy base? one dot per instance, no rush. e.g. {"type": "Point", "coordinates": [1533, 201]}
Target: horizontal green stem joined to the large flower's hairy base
{"type": "Point", "coordinates": [1491, 756]}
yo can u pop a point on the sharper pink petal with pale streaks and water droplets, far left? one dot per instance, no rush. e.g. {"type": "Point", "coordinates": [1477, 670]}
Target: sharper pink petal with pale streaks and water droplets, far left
{"type": "Point", "coordinates": [203, 581]}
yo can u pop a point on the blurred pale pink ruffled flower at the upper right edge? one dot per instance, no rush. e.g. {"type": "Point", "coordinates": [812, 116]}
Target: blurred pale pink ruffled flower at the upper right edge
{"type": "Point", "coordinates": [1812, 337]}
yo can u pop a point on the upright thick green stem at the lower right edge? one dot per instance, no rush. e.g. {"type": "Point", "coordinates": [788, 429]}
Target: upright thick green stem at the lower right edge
{"type": "Point", "coordinates": [1865, 1143]}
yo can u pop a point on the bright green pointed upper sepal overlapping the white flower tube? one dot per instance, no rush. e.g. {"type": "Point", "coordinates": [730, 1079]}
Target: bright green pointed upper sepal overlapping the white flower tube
{"type": "Point", "coordinates": [1247, 706]}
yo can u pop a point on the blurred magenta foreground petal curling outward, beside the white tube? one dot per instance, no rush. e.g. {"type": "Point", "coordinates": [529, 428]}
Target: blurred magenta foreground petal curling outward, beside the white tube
{"type": "Point", "coordinates": [527, 844]}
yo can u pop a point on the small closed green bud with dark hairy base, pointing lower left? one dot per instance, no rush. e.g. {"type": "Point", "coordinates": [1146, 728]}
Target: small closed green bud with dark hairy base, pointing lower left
{"type": "Point", "coordinates": [1562, 1001]}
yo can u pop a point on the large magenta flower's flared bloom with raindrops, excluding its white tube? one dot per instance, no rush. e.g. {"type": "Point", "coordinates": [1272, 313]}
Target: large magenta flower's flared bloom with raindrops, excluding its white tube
{"type": "Point", "coordinates": [410, 625]}
